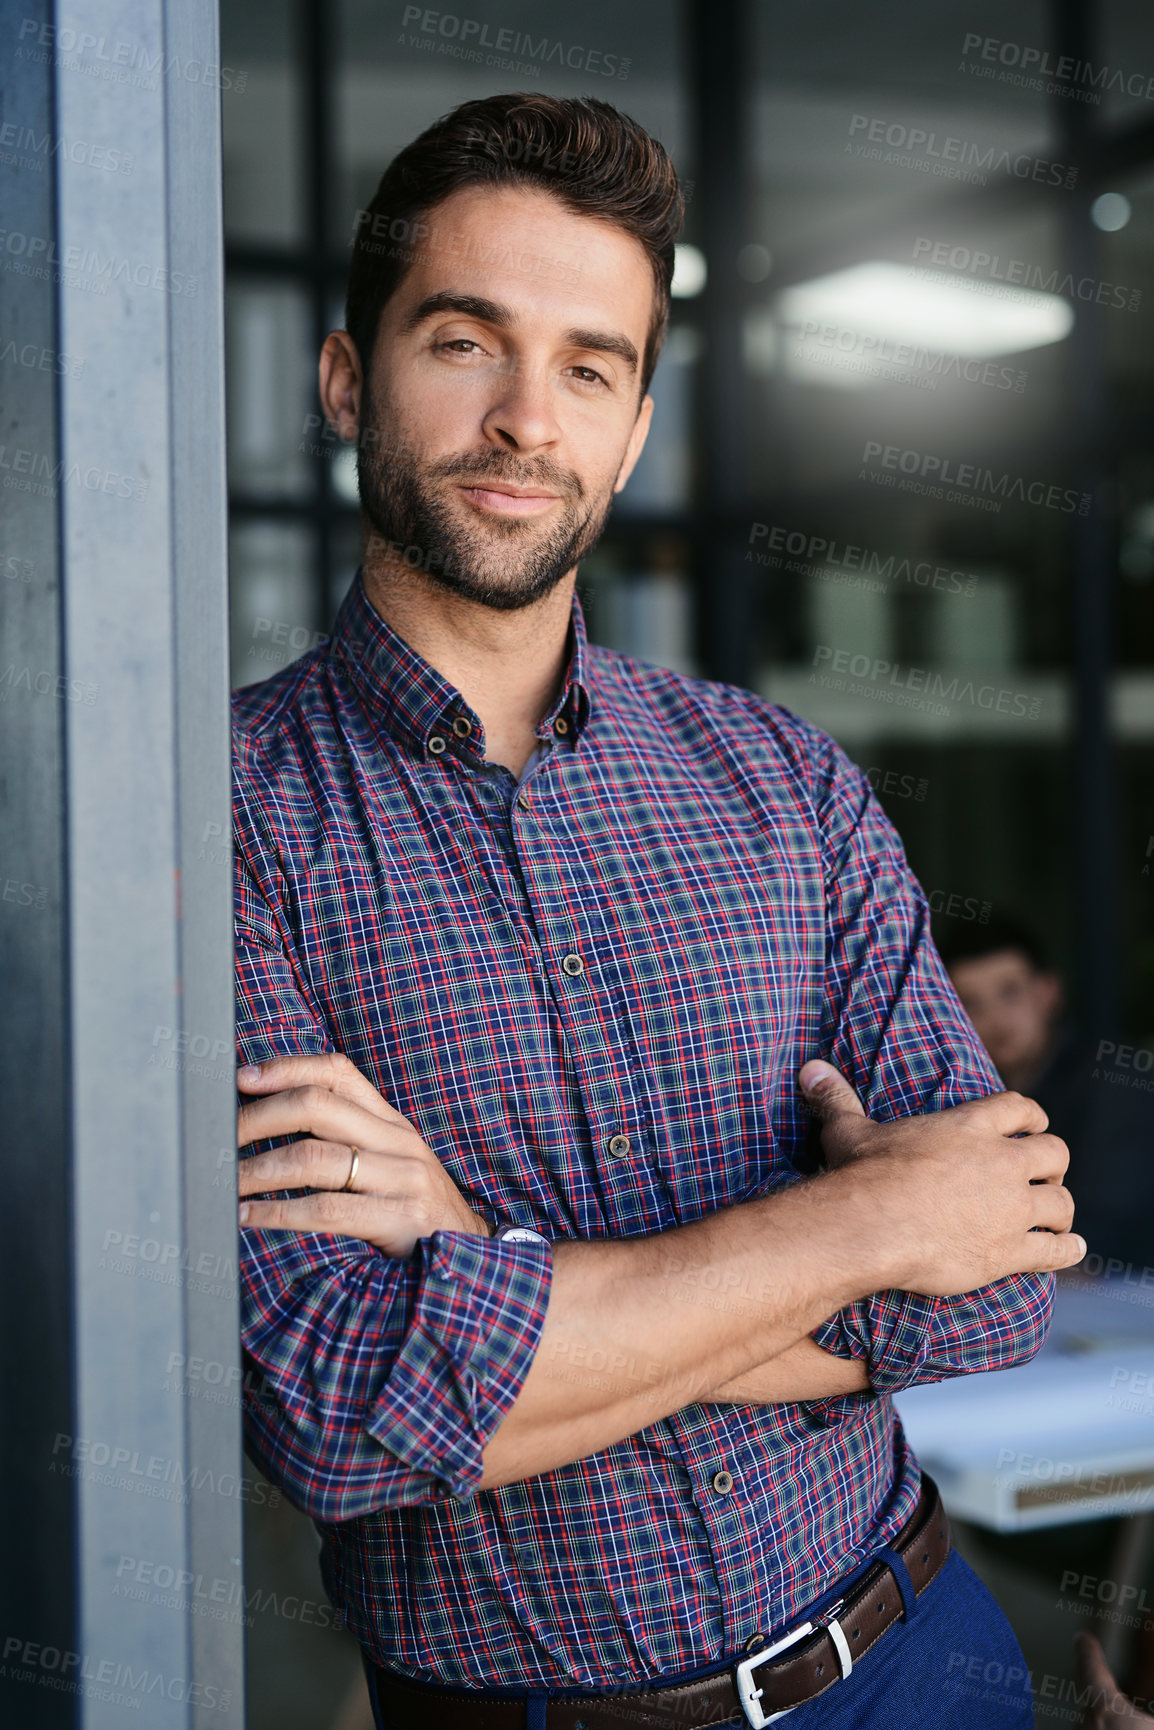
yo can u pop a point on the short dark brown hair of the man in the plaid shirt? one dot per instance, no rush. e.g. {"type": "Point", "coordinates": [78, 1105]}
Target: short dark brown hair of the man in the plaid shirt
{"type": "Point", "coordinates": [586, 153]}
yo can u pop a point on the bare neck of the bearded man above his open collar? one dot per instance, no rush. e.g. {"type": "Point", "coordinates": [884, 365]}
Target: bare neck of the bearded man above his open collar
{"type": "Point", "coordinates": [506, 665]}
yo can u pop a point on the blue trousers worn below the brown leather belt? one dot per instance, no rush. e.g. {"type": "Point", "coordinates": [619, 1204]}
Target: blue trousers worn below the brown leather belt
{"type": "Point", "coordinates": [951, 1665]}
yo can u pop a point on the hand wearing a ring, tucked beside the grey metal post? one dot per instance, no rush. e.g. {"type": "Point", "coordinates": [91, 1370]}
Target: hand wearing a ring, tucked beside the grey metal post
{"type": "Point", "coordinates": [402, 1191]}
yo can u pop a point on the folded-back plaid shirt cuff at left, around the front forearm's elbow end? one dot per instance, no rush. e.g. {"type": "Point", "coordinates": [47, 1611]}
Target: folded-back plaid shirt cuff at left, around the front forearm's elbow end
{"type": "Point", "coordinates": [473, 1336]}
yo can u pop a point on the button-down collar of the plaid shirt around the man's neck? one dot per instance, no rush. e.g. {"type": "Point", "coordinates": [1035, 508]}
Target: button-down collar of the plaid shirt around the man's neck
{"type": "Point", "coordinates": [416, 705]}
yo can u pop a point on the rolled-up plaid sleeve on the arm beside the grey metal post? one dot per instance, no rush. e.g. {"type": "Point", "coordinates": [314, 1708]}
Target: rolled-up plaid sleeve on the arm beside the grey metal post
{"type": "Point", "coordinates": [380, 1380]}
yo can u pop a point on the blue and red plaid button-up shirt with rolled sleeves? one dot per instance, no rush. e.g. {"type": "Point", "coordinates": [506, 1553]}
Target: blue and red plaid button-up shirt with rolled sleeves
{"type": "Point", "coordinates": [740, 904]}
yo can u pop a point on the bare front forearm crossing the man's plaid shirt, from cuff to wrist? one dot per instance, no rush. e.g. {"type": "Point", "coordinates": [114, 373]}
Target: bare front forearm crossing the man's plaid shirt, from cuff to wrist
{"type": "Point", "coordinates": [634, 1331]}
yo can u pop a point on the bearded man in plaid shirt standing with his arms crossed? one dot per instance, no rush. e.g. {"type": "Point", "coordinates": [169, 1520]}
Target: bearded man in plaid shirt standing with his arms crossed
{"type": "Point", "coordinates": [539, 939]}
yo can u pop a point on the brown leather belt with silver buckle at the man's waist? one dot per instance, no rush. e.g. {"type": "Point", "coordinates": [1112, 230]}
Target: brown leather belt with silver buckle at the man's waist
{"type": "Point", "coordinates": [812, 1658]}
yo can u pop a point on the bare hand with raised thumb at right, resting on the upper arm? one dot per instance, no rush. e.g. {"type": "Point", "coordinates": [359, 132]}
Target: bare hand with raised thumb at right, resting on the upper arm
{"type": "Point", "coordinates": [954, 1200]}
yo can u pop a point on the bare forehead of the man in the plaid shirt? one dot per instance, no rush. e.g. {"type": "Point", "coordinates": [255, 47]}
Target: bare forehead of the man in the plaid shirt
{"type": "Point", "coordinates": [534, 255]}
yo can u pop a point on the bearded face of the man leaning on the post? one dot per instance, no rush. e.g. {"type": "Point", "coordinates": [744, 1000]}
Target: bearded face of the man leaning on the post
{"type": "Point", "coordinates": [503, 407]}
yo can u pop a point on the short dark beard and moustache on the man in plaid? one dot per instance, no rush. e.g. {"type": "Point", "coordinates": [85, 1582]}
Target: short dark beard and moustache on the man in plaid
{"type": "Point", "coordinates": [503, 563]}
